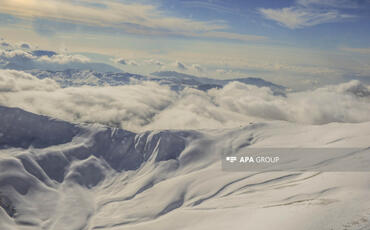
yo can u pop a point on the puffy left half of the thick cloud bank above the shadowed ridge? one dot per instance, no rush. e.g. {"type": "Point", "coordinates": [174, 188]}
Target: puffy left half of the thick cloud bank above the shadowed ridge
{"type": "Point", "coordinates": [131, 106]}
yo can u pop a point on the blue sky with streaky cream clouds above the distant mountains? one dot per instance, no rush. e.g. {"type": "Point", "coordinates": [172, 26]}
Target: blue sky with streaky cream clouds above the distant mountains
{"type": "Point", "coordinates": [297, 43]}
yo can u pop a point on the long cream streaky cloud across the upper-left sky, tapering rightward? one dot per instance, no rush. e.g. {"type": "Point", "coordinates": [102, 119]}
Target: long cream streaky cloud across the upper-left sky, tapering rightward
{"type": "Point", "coordinates": [133, 18]}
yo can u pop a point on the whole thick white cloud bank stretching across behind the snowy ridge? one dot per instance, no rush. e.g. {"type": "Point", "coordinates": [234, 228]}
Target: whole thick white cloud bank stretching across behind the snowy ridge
{"type": "Point", "coordinates": [148, 105]}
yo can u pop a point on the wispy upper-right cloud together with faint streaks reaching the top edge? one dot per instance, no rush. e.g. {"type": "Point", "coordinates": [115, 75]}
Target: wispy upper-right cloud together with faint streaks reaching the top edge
{"type": "Point", "coordinates": [308, 13]}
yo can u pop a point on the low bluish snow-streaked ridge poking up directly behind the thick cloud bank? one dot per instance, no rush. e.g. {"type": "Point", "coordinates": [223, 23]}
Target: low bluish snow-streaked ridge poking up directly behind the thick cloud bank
{"type": "Point", "coordinates": [177, 81]}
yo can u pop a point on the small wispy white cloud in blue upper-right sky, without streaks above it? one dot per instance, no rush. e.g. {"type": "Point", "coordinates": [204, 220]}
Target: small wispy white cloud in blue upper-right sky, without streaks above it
{"type": "Point", "coordinates": [293, 17]}
